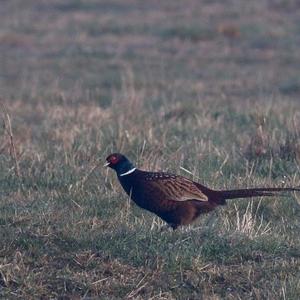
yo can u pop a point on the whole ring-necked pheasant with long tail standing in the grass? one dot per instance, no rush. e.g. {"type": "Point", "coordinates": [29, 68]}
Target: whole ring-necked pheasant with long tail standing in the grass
{"type": "Point", "coordinates": [174, 198]}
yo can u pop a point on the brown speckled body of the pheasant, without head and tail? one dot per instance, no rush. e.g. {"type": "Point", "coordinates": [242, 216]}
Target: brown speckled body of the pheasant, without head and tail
{"type": "Point", "coordinates": [175, 199]}
